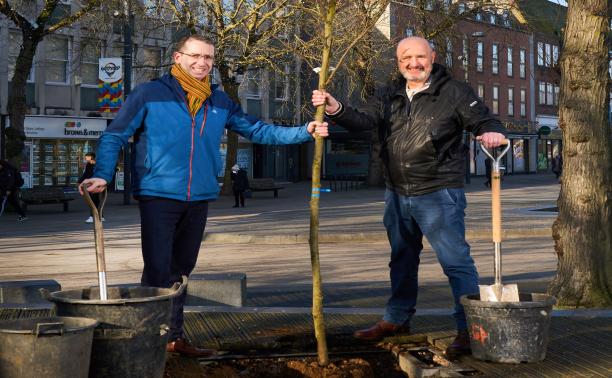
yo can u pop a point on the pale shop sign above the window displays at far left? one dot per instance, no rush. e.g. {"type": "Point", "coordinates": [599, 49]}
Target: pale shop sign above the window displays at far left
{"type": "Point", "coordinates": [64, 127]}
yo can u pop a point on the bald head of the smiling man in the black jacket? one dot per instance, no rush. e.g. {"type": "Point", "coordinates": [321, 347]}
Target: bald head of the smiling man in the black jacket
{"type": "Point", "coordinates": [415, 59]}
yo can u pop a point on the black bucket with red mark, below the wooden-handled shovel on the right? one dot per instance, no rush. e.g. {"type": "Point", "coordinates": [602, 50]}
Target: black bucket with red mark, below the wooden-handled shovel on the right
{"type": "Point", "coordinates": [509, 332]}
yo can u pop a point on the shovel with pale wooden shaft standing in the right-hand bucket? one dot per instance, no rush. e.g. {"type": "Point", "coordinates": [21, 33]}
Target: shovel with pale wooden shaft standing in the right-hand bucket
{"type": "Point", "coordinates": [497, 292]}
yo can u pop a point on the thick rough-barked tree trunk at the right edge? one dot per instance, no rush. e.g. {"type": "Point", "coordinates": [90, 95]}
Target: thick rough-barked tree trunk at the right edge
{"type": "Point", "coordinates": [583, 229]}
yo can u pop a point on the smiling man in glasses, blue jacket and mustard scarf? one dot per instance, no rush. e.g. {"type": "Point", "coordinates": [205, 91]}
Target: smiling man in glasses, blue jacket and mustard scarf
{"type": "Point", "coordinates": [177, 123]}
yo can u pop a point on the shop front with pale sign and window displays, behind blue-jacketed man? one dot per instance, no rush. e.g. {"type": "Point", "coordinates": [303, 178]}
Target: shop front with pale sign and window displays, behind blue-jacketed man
{"type": "Point", "coordinates": [55, 148]}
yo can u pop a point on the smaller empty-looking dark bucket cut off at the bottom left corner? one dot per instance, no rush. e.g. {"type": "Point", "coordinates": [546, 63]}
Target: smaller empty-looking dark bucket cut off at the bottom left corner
{"type": "Point", "coordinates": [52, 347]}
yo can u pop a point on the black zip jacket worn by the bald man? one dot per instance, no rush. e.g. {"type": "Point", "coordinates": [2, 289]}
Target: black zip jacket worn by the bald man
{"type": "Point", "coordinates": [421, 139]}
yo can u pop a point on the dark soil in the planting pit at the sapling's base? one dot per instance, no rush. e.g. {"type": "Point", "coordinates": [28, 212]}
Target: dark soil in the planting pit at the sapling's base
{"type": "Point", "coordinates": [383, 365]}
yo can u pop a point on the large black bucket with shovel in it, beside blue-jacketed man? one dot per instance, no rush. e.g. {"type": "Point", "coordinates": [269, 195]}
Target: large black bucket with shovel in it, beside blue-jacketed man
{"type": "Point", "coordinates": [131, 339]}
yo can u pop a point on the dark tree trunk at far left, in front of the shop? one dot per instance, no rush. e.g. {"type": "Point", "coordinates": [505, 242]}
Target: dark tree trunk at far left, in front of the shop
{"type": "Point", "coordinates": [17, 106]}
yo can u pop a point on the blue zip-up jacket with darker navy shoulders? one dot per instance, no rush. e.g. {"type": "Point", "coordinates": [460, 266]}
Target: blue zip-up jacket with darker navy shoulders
{"type": "Point", "coordinates": [177, 155]}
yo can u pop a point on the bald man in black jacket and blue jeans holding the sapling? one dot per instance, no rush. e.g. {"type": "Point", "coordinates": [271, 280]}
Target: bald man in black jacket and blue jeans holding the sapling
{"type": "Point", "coordinates": [420, 119]}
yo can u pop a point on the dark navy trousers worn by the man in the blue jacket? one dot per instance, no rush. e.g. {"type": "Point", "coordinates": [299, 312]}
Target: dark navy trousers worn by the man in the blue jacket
{"type": "Point", "coordinates": [171, 233]}
